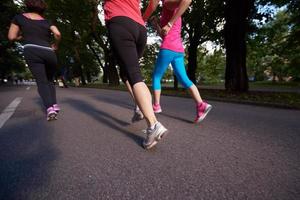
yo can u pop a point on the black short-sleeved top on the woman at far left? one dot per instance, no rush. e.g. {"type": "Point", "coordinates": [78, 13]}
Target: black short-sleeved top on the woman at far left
{"type": "Point", "coordinates": [34, 31]}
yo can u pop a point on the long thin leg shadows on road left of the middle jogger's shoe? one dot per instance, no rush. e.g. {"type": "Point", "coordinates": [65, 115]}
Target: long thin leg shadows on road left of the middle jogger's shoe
{"type": "Point", "coordinates": [104, 118]}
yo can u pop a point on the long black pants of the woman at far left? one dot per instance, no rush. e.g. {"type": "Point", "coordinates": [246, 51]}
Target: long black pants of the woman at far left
{"type": "Point", "coordinates": [42, 63]}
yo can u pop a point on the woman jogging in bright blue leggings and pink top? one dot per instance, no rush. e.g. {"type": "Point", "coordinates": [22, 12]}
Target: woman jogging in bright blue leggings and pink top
{"type": "Point", "coordinates": [172, 52]}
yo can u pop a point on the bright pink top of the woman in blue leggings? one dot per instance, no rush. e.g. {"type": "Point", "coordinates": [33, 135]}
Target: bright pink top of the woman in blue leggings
{"type": "Point", "coordinates": [173, 40]}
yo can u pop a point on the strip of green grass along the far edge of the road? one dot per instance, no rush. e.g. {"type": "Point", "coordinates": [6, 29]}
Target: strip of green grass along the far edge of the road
{"type": "Point", "coordinates": [273, 99]}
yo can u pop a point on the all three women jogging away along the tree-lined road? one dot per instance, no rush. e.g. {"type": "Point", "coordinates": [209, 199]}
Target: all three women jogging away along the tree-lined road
{"type": "Point", "coordinates": [128, 36]}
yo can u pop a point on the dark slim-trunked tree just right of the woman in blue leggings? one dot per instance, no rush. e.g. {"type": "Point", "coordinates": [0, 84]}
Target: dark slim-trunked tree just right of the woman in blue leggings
{"type": "Point", "coordinates": [202, 22]}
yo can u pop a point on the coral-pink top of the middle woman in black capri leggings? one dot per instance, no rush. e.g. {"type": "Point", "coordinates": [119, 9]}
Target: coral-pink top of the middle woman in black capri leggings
{"type": "Point", "coordinates": [126, 8]}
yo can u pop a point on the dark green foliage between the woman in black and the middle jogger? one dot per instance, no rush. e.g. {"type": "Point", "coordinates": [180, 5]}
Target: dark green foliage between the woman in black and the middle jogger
{"type": "Point", "coordinates": [75, 21]}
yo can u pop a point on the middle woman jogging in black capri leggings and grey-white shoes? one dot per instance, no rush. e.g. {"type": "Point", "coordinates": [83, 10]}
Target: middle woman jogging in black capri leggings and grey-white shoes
{"type": "Point", "coordinates": [127, 34]}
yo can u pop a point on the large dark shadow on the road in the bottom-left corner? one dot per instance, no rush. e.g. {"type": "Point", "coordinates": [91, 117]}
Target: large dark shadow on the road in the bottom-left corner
{"type": "Point", "coordinates": [26, 155]}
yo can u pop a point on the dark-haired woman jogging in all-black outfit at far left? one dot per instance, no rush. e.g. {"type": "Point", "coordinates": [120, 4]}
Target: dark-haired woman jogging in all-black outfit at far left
{"type": "Point", "coordinates": [35, 33]}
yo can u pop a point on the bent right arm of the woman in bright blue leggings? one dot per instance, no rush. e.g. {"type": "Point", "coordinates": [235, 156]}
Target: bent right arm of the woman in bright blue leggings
{"type": "Point", "coordinates": [183, 5]}
